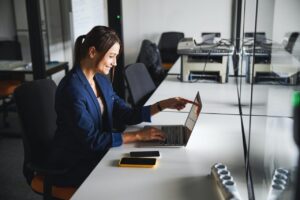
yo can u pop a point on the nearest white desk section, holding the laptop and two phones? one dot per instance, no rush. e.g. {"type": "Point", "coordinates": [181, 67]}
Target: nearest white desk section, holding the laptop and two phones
{"type": "Point", "coordinates": [182, 173]}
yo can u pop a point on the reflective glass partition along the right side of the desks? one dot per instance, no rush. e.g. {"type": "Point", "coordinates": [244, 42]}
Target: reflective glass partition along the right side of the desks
{"type": "Point", "coordinates": [270, 68]}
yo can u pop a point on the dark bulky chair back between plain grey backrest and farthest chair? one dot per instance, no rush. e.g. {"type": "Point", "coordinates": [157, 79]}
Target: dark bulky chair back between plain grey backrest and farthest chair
{"type": "Point", "coordinates": [150, 56]}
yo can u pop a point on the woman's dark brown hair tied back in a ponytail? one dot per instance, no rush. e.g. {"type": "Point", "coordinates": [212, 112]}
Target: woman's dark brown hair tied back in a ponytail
{"type": "Point", "coordinates": [100, 37]}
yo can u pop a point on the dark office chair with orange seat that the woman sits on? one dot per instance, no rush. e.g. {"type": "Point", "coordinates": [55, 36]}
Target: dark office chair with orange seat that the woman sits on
{"type": "Point", "coordinates": [35, 106]}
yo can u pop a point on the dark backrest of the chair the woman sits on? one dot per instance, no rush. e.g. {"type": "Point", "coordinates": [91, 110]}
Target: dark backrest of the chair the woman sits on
{"type": "Point", "coordinates": [35, 106]}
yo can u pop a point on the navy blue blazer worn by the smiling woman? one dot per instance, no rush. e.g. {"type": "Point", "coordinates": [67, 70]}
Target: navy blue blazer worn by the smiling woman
{"type": "Point", "coordinates": [83, 136]}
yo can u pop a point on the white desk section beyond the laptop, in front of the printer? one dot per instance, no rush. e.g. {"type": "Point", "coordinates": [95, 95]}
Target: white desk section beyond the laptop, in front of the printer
{"type": "Point", "coordinates": [216, 97]}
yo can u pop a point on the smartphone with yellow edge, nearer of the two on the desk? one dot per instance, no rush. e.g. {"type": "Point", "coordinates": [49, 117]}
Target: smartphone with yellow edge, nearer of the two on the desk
{"type": "Point", "coordinates": [137, 162]}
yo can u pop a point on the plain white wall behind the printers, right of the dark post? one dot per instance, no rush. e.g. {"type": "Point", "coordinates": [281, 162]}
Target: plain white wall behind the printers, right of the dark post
{"type": "Point", "coordinates": [144, 19]}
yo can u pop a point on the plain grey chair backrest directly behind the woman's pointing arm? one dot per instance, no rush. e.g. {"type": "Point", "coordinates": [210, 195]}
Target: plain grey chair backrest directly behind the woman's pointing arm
{"type": "Point", "coordinates": [139, 82]}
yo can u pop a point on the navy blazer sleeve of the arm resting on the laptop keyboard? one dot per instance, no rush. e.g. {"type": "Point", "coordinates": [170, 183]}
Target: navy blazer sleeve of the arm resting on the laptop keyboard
{"type": "Point", "coordinates": [87, 130]}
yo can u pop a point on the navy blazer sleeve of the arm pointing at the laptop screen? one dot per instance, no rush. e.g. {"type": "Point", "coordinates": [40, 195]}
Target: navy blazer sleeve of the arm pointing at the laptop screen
{"type": "Point", "coordinates": [127, 115]}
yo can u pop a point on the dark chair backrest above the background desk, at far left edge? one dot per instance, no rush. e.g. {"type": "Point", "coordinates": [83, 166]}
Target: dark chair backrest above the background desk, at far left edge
{"type": "Point", "coordinates": [10, 50]}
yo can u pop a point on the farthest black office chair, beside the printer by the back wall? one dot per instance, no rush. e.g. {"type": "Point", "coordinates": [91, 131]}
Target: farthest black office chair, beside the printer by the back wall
{"type": "Point", "coordinates": [168, 47]}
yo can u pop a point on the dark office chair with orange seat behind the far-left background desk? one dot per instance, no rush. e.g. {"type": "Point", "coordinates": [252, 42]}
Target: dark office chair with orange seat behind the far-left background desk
{"type": "Point", "coordinates": [9, 50]}
